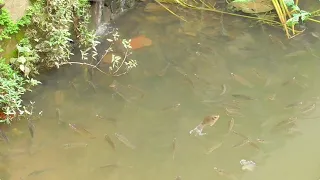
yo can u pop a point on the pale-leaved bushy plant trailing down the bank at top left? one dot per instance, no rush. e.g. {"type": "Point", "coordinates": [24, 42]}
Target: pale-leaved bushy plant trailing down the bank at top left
{"type": "Point", "coordinates": [50, 31]}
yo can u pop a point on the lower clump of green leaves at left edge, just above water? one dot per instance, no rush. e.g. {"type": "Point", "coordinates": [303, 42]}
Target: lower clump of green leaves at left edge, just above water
{"type": "Point", "coordinates": [12, 86]}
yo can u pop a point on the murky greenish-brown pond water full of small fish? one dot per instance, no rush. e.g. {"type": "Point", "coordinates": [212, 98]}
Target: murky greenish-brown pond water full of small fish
{"type": "Point", "coordinates": [264, 88]}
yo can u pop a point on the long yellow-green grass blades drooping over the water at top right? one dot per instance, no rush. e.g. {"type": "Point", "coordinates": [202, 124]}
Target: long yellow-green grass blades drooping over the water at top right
{"type": "Point", "coordinates": [287, 12]}
